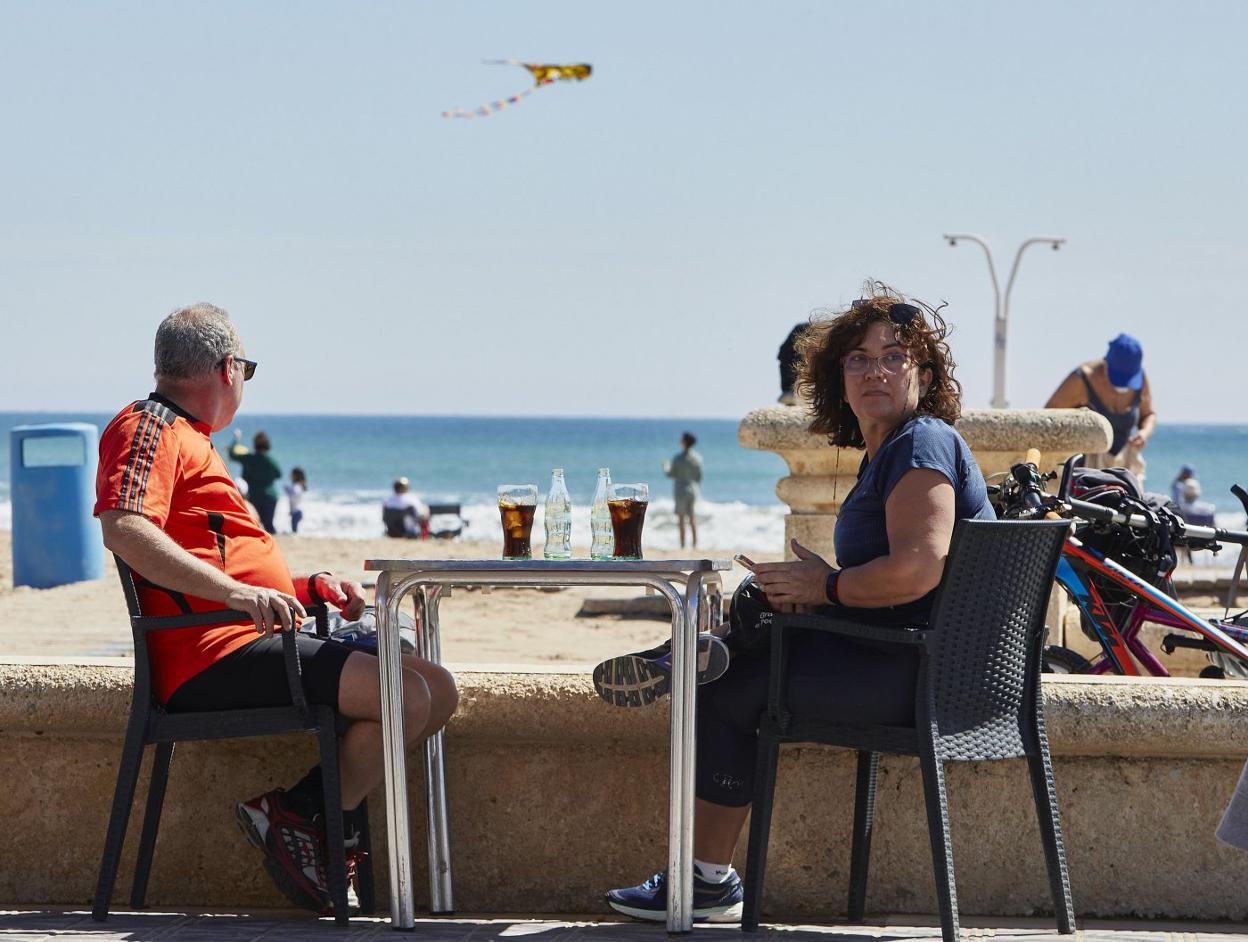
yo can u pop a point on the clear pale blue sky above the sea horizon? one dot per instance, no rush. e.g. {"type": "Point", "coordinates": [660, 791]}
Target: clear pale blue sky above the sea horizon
{"type": "Point", "coordinates": [635, 245]}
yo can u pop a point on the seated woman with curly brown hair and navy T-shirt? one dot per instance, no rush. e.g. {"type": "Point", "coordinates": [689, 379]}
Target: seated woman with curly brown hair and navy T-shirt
{"type": "Point", "coordinates": [879, 376]}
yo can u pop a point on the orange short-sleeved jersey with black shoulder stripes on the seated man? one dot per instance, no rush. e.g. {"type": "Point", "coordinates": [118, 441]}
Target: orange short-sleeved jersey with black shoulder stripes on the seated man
{"type": "Point", "coordinates": [159, 461]}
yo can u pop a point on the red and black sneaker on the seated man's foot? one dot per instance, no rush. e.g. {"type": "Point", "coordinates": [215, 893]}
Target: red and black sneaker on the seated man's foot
{"type": "Point", "coordinates": [294, 849]}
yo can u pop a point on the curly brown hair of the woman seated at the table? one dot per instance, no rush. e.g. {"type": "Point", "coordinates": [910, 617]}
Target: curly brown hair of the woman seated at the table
{"type": "Point", "coordinates": [834, 334]}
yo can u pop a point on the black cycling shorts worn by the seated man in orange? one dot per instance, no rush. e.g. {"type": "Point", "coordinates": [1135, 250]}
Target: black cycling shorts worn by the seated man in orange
{"type": "Point", "coordinates": [255, 676]}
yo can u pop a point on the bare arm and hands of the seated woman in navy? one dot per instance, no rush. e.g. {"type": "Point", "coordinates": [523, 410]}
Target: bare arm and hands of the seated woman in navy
{"type": "Point", "coordinates": [919, 516]}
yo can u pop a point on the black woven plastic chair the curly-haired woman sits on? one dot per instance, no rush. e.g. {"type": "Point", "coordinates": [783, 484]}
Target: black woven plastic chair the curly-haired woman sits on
{"type": "Point", "coordinates": [977, 699]}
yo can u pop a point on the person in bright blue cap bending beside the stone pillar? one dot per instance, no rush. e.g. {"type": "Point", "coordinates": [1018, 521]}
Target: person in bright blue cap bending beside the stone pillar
{"type": "Point", "coordinates": [1118, 389]}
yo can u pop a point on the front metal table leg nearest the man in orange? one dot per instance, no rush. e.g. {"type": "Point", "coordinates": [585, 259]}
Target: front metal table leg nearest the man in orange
{"type": "Point", "coordinates": [394, 755]}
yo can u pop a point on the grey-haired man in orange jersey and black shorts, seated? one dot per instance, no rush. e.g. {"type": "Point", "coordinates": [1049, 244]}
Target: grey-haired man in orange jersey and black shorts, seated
{"type": "Point", "coordinates": [170, 510]}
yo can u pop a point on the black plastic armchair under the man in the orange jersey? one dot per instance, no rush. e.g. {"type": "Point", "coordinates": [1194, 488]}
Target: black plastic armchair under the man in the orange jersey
{"type": "Point", "coordinates": [152, 724]}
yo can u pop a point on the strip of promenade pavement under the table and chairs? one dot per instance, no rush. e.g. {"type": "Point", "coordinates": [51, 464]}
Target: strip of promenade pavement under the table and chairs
{"type": "Point", "coordinates": [279, 926]}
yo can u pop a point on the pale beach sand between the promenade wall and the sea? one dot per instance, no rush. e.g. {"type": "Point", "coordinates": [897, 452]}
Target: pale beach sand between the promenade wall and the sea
{"type": "Point", "coordinates": [501, 628]}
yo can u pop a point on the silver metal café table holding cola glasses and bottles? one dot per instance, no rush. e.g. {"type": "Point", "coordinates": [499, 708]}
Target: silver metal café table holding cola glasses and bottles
{"type": "Point", "coordinates": [693, 590]}
